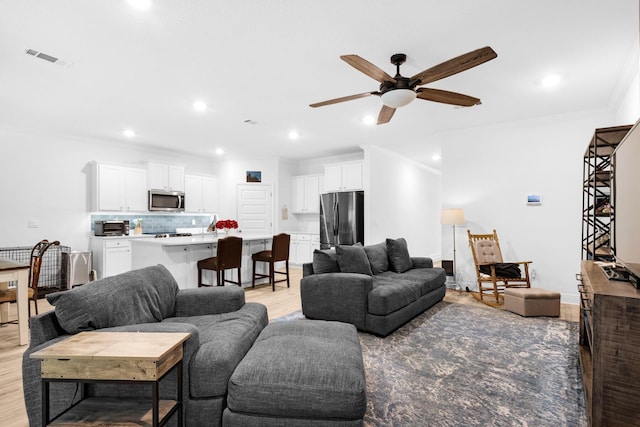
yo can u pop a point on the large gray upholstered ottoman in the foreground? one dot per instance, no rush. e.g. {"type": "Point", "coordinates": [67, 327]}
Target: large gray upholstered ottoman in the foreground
{"type": "Point", "coordinates": [299, 373]}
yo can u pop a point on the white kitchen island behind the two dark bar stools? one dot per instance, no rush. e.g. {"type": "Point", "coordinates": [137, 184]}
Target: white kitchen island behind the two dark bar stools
{"type": "Point", "coordinates": [181, 254]}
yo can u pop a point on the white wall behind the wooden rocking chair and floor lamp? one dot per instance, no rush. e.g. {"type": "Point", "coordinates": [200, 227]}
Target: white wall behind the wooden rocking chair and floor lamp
{"type": "Point", "coordinates": [489, 172]}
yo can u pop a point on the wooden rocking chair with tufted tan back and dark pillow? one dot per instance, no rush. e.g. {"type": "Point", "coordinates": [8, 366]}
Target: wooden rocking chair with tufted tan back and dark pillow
{"type": "Point", "coordinates": [486, 252]}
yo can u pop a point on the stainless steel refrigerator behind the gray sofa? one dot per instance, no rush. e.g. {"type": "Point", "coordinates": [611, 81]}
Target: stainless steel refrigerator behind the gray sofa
{"type": "Point", "coordinates": [341, 218]}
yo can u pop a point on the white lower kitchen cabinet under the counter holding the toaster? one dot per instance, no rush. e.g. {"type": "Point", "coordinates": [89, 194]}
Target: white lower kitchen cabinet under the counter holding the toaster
{"type": "Point", "coordinates": [110, 256]}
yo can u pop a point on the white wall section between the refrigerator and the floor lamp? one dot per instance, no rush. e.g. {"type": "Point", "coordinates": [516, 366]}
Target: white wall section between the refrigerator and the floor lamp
{"type": "Point", "coordinates": [402, 199]}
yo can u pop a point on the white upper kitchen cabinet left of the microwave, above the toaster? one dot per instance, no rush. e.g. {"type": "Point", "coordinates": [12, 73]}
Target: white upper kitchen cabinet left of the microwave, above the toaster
{"type": "Point", "coordinates": [118, 188]}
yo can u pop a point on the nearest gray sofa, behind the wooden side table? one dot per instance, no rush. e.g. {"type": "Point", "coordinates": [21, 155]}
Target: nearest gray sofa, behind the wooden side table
{"type": "Point", "coordinates": [223, 328]}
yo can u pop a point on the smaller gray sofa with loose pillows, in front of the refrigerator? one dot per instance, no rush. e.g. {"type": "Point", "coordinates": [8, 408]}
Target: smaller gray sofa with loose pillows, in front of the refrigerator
{"type": "Point", "coordinates": [377, 288]}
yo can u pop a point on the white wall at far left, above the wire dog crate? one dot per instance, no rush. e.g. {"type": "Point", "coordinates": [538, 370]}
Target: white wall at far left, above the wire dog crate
{"type": "Point", "coordinates": [44, 177]}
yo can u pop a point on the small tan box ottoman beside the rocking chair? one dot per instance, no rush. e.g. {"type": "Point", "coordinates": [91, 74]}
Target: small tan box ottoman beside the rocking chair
{"type": "Point", "coordinates": [532, 302]}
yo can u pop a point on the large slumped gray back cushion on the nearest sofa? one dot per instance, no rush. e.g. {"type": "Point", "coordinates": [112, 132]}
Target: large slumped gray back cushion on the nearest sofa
{"type": "Point", "coordinates": [138, 296]}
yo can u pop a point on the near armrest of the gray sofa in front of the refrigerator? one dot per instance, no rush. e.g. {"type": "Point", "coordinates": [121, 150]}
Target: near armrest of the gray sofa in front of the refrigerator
{"type": "Point", "coordinates": [336, 296]}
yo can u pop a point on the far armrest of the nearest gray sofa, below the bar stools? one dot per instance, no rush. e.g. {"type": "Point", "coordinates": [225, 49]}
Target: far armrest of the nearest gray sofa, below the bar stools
{"type": "Point", "coordinates": [213, 300]}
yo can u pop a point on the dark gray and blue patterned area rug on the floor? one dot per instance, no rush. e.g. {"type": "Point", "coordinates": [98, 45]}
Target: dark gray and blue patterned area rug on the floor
{"type": "Point", "coordinates": [460, 365]}
